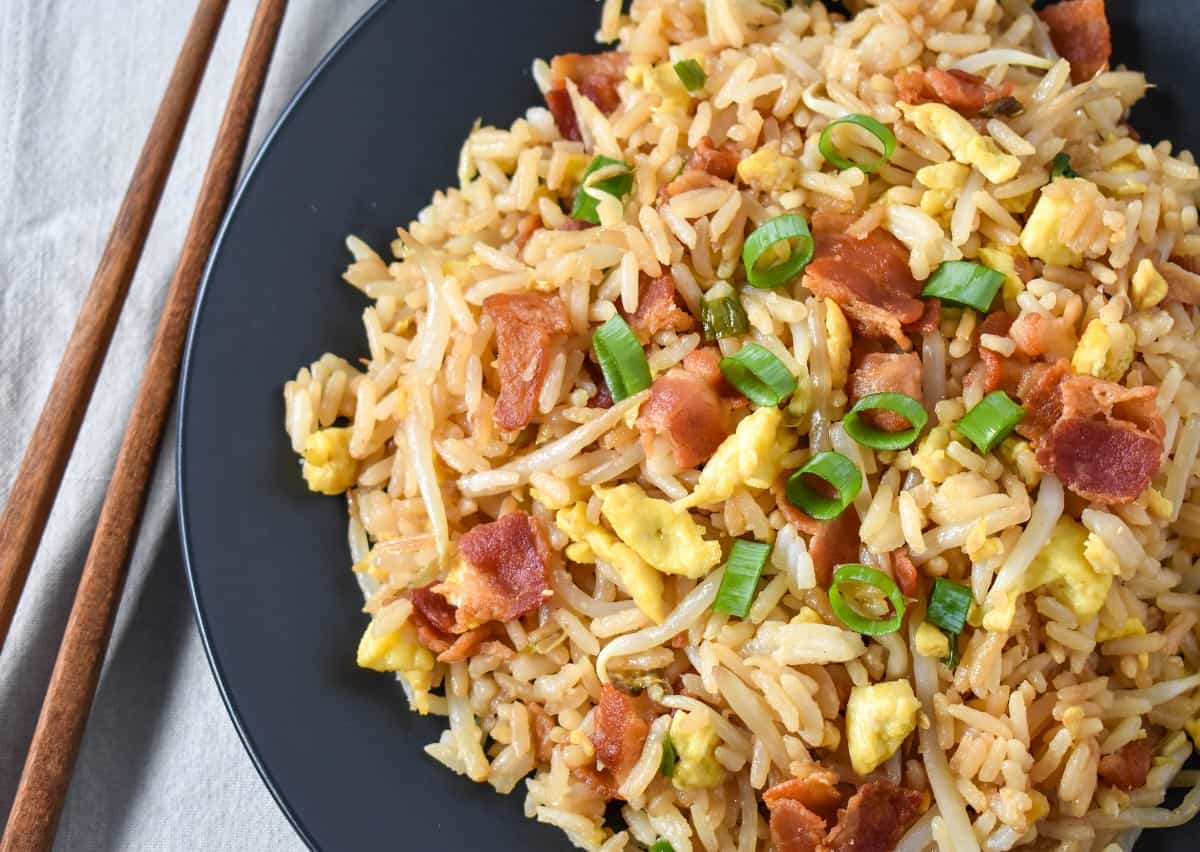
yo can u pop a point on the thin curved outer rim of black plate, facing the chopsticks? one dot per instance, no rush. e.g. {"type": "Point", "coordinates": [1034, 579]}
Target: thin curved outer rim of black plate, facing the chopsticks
{"type": "Point", "coordinates": [182, 505]}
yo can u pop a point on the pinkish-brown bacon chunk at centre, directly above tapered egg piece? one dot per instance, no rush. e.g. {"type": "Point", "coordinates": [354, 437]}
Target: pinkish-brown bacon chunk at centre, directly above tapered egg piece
{"type": "Point", "coordinates": [688, 410]}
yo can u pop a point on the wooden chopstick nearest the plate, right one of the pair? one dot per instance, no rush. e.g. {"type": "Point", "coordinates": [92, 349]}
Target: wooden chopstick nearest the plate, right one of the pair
{"type": "Point", "coordinates": [51, 759]}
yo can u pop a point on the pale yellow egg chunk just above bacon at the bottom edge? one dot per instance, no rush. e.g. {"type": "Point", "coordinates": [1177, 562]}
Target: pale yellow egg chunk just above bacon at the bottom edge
{"type": "Point", "coordinates": [879, 719]}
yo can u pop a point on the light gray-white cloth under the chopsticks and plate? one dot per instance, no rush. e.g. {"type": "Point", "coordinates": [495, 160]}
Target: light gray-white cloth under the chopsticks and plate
{"type": "Point", "coordinates": [161, 766]}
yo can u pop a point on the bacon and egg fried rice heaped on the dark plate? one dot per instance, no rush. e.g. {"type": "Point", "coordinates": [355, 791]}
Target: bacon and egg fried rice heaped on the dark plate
{"type": "Point", "coordinates": [545, 542]}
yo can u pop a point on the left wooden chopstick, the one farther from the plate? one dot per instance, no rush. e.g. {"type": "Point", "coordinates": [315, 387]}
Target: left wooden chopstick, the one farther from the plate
{"type": "Point", "coordinates": [50, 448]}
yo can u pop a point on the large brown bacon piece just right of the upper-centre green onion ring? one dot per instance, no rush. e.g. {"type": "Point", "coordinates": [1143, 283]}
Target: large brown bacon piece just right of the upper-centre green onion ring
{"type": "Point", "coordinates": [869, 279]}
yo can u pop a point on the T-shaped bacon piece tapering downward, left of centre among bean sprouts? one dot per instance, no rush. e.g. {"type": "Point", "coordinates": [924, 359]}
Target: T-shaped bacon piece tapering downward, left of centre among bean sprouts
{"type": "Point", "coordinates": [527, 327]}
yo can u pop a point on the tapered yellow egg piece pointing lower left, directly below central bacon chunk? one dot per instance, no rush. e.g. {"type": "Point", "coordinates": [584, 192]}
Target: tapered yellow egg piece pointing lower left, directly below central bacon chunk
{"type": "Point", "coordinates": [752, 457]}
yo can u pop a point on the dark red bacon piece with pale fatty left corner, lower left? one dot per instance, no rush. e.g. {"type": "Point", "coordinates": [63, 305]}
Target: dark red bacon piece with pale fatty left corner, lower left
{"type": "Point", "coordinates": [505, 572]}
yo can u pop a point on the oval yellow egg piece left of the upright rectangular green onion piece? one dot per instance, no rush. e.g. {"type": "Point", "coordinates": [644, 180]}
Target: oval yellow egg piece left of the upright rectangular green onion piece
{"type": "Point", "coordinates": [667, 538]}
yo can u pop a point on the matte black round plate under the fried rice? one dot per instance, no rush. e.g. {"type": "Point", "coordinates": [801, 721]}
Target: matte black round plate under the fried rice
{"type": "Point", "coordinates": [370, 136]}
